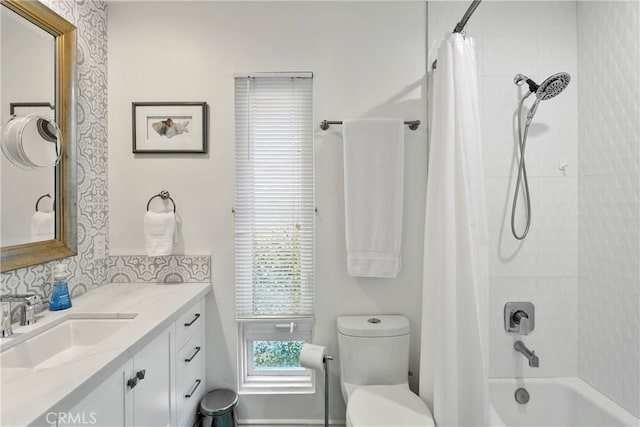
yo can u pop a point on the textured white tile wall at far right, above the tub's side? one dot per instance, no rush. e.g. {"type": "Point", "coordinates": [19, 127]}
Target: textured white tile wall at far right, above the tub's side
{"type": "Point", "coordinates": [609, 192]}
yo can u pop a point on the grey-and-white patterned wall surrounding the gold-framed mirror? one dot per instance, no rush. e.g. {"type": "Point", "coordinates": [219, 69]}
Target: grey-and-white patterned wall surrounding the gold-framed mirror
{"type": "Point", "coordinates": [87, 272]}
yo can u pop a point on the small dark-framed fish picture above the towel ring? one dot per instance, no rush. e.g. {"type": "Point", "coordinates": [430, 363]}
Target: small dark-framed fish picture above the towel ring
{"type": "Point", "coordinates": [169, 127]}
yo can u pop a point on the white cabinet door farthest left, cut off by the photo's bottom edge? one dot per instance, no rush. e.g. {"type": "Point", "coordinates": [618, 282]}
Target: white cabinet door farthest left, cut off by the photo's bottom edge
{"type": "Point", "coordinates": [105, 406]}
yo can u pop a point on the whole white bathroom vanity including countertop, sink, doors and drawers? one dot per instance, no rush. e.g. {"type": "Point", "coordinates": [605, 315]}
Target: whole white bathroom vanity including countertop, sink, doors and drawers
{"type": "Point", "coordinates": [87, 380]}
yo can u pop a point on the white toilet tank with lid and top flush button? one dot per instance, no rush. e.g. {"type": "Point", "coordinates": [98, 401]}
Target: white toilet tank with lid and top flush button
{"type": "Point", "coordinates": [374, 350]}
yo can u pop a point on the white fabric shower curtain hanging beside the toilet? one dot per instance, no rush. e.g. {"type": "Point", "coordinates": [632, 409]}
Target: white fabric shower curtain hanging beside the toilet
{"type": "Point", "coordinates": [454, 359]}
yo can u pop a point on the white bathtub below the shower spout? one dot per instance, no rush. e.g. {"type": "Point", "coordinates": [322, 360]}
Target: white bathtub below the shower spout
{"type": "Point", "coordinates": [562, 402]}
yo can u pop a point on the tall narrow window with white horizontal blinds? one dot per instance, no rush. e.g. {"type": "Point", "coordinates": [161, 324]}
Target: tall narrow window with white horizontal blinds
{"type": "Point", "coordinates": [274, 230]}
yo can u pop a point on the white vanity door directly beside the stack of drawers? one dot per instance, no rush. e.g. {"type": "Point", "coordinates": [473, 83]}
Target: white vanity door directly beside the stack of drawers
{"type": "Point", "coordinates": [152, 394]}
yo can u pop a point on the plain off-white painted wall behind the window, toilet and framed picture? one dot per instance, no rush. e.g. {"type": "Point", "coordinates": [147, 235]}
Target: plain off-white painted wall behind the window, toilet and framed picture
{"type": "Point", "coordinates": [368, 60]}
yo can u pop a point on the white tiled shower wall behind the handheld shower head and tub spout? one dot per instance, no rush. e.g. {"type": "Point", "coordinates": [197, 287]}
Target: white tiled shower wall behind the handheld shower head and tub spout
{"type": "Point", "coordinates": [536, 39]}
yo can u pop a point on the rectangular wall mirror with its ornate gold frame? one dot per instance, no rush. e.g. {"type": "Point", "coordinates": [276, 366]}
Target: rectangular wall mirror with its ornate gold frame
{"type": "Point", "coordinates": [37, 135]}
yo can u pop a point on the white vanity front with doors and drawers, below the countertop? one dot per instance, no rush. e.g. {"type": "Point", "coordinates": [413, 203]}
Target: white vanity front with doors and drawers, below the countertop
{"type": "Point", "coordinates": [161, 385]}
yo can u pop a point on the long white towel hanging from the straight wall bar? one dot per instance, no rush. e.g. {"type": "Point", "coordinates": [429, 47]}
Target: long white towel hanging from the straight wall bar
{"type": "Point", "coordinates": [373, 189]}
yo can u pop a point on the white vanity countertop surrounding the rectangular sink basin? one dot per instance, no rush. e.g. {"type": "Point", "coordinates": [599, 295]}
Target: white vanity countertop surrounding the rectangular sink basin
{"type": "Point", "coordinates": [26, 395]}
